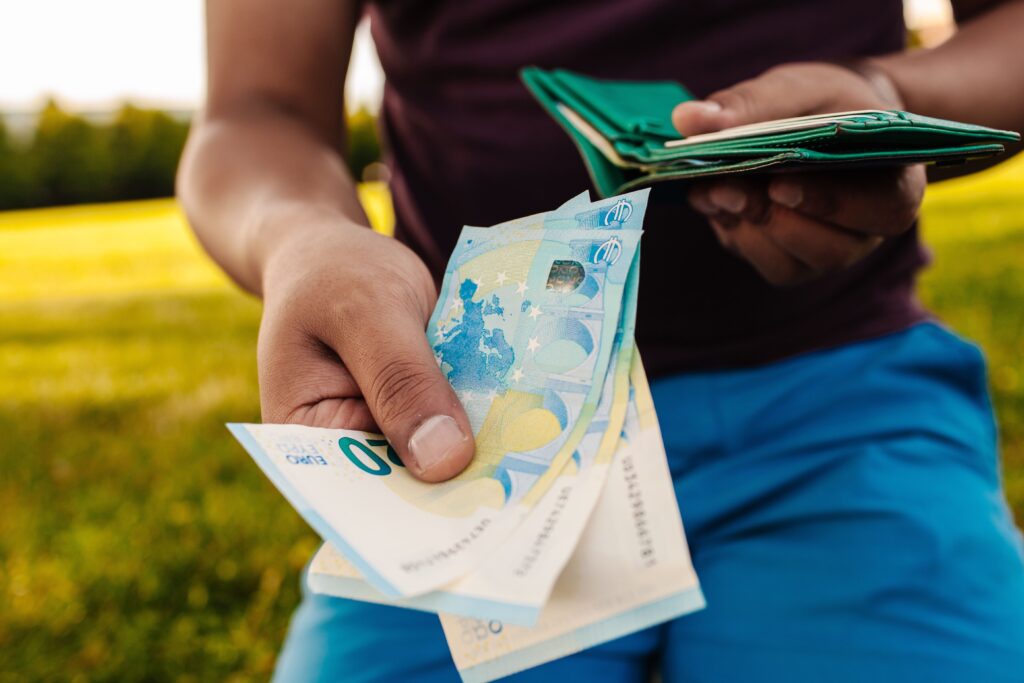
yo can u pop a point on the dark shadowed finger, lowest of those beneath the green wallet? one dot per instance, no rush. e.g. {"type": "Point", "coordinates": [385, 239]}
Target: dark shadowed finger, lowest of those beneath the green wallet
{"type": "Point", "coordinates": [824, 248]}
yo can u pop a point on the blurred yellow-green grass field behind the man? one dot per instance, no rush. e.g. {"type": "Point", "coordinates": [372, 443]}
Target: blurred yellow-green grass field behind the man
{"type": "Point", "coordinates": [139, 542]}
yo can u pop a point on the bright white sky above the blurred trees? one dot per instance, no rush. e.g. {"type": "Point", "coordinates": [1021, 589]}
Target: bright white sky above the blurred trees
{"type": "Point", "coordinates": [95, 54]}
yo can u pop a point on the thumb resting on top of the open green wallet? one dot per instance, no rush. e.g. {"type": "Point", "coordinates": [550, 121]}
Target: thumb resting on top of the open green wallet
{"type": "Point", "coordinates": [775, 95]}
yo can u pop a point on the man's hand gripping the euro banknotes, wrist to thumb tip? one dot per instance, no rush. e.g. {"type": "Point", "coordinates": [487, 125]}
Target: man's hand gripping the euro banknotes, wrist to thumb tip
{"type": "Point", "coordinates": [343, 345]}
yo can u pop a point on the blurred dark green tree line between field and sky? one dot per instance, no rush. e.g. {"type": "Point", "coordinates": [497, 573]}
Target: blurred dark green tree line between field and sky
{"type": "Point", "coordinates": [68, 159]}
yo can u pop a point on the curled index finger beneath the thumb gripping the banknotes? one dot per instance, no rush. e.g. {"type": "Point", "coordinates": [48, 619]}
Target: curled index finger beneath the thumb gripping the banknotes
{"type": "Point", "coordinates": [304, 382]}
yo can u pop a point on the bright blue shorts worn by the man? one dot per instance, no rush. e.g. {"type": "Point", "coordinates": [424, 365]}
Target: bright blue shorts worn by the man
{"type": "Point", "coordinates": [846, 518]}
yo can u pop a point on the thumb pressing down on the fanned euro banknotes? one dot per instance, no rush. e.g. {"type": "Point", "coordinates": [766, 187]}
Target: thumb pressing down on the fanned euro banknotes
{"type": "Point", "coordinates": [388, 354]}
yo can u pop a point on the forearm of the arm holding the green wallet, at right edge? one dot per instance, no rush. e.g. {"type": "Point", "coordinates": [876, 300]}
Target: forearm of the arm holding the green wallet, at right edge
{"type": "Point", "coordinates": [974, 77]}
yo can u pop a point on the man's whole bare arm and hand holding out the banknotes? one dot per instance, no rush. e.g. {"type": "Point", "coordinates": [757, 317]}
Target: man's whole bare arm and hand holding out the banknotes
{"type": "Point", "coordinates": [266, 188]}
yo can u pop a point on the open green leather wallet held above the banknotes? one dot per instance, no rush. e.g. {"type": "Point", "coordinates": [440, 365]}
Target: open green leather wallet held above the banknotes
{"type": "Point", "coordinates": [624, 133]}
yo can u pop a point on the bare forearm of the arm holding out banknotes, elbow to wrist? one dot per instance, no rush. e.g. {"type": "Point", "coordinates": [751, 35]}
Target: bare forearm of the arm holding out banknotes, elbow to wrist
{"type": "Point", "coordinates": [249, 181]}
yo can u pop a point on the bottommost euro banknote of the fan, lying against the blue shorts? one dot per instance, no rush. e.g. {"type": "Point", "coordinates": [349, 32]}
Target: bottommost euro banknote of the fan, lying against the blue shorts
{"type": "Point", "coordinates": [630, 571]}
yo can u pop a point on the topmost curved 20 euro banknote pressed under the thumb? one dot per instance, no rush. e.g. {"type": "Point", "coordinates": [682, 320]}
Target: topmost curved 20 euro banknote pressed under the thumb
{"type": "Point", "coordinates": [525, 330]}
